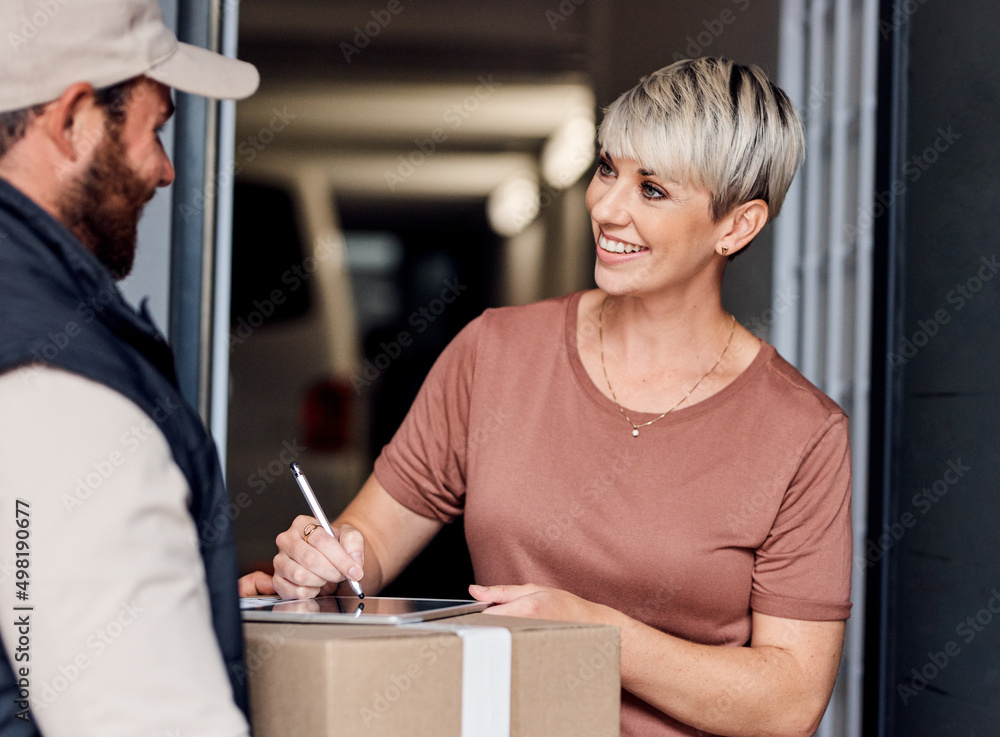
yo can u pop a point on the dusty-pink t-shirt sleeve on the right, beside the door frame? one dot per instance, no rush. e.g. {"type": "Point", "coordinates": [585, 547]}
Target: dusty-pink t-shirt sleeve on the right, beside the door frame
{"type": "Point", "coordinates": [803, 568]}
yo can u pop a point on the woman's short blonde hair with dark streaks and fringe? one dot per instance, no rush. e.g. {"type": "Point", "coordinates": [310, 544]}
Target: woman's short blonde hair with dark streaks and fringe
{"type": "Point", "coordinates": [712, 122]}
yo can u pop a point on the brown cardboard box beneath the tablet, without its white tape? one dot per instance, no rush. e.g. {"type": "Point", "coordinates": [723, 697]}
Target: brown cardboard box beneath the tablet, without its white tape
{"type": "Point", "coordinates": [314, 680]}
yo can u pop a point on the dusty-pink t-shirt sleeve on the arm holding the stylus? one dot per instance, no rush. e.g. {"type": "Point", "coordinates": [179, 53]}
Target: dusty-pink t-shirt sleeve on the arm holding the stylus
{"type": "Point", "coordinates": [424, 465]}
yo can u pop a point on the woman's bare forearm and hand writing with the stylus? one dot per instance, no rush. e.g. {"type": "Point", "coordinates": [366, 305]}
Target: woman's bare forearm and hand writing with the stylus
{"type": "Point", "coordinates": [378, 538]}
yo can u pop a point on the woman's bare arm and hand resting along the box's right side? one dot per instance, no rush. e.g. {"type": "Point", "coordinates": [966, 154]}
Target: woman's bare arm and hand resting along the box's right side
{"type": "Point", "coordinates": [778, 686]}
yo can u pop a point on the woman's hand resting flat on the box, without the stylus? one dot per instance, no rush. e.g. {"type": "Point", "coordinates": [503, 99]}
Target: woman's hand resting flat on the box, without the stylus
{"type": "Point", "coordinates": [541, 602]}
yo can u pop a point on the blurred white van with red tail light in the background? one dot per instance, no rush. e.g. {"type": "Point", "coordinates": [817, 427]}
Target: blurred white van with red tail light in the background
{"type": "Point", "coordinates": [293, 349]}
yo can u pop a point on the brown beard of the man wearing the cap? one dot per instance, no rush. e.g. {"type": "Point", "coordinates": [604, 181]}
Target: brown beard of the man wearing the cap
{"type": "Point", "coordinates": [102, 208]}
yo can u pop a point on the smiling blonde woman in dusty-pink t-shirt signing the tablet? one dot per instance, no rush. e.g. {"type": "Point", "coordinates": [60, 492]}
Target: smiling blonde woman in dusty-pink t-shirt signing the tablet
{"type": "Point", "coordinates": [658, 467]}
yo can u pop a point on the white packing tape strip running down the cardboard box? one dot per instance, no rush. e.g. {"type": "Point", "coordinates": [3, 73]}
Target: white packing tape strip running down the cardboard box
{"type": "Point", "coordinates": [486, 676]}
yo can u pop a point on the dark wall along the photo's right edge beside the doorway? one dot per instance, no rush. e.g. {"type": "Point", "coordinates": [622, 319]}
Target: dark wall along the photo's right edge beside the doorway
{"type": "Point", "coordinates": [936, 542]}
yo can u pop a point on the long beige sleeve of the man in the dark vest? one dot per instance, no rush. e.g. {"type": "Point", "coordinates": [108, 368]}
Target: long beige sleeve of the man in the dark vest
{"type": "Point", "coordinates": [120, 636]}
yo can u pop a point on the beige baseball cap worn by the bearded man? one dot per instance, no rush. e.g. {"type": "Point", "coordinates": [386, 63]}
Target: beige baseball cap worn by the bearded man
{"type": "Point", "coordinates": [47, 45]}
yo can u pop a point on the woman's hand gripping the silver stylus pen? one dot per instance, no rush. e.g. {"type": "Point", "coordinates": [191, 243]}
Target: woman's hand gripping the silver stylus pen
{"type": "Point", "coordinates": [310, 562]}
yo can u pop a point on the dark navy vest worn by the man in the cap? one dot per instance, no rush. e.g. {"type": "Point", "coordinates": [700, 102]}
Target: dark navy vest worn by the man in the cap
{"type": "Point", "coordinates": [60, 307]}
